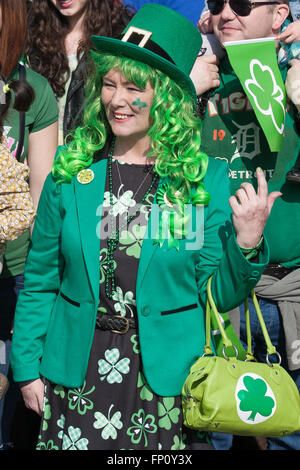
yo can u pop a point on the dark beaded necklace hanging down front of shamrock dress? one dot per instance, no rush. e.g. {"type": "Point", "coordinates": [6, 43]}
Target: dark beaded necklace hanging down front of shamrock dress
{"type": "Point", "coordinates": [113, 239]}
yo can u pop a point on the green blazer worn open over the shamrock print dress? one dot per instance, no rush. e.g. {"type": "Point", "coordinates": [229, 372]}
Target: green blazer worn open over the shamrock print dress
{"type": "Point", "coordinates": [56, 311]}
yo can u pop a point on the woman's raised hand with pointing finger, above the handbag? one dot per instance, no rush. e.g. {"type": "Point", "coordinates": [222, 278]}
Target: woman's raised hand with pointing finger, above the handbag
{"type": "Point", "coordinates": [251, 210]}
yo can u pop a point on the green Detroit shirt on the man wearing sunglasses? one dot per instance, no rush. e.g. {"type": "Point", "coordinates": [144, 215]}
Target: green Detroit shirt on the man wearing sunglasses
{"type": "Point", "coordinates": [231, 132]}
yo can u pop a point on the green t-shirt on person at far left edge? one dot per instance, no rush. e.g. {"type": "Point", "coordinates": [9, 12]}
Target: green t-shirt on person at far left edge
{"type": "Point", "coordinates": [42, 113]}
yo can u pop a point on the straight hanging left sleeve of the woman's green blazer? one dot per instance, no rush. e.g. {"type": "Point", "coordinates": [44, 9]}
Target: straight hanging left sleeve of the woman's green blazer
{"type": "Point", "coordinates": [42, 278]}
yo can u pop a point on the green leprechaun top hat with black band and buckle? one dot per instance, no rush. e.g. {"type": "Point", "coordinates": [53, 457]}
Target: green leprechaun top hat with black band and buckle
{"type": "Point", "coordinates": [161, 38]}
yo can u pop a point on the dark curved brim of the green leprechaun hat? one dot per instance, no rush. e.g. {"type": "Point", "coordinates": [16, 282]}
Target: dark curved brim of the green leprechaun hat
{"type": "Point", "coordinates": [127, 49]}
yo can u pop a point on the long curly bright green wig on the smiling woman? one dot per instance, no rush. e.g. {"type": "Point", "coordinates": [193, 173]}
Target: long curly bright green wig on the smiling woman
{"type": "Point", "coordinates": [174, 132]}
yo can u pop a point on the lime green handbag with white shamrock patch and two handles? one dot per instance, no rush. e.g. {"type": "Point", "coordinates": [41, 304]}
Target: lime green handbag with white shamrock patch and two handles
{"type": "Point", "coordinates": [248, 398]}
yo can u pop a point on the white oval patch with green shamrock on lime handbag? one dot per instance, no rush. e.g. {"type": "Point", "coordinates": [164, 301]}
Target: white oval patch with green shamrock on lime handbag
{"type": "Point", "coordinates": [254, 398]}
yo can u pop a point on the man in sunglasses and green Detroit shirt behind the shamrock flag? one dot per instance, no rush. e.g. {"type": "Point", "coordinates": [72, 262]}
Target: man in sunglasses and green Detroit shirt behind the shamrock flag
{"type": "Point", "coordinates": [231, 132]}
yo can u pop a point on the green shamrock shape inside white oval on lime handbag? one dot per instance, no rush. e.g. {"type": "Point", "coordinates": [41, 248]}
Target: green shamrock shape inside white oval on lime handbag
{"type": "Point", "coordinates": [254, 399]}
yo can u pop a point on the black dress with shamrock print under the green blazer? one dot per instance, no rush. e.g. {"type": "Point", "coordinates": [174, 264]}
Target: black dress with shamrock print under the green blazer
{"type": "Point", "coordinates": [116, 409]}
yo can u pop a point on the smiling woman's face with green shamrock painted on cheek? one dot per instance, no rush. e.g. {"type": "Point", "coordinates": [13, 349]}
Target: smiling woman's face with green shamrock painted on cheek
{"type": "Point", "coordinates": [127, 106]}
